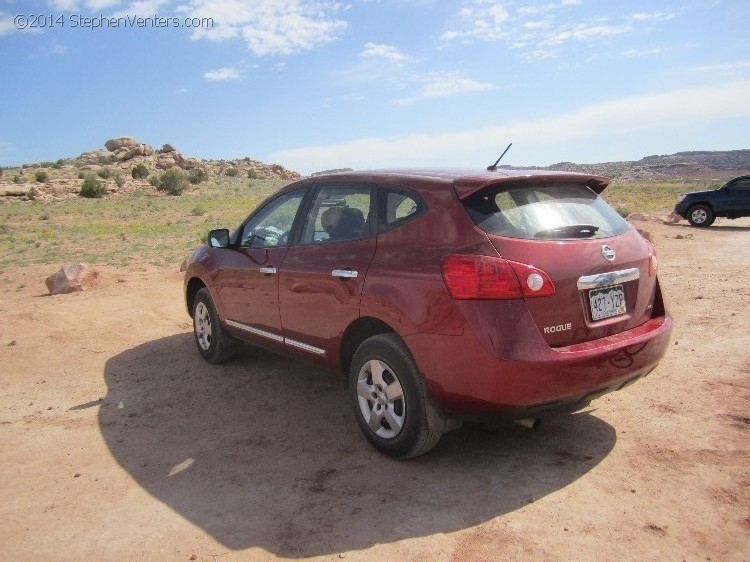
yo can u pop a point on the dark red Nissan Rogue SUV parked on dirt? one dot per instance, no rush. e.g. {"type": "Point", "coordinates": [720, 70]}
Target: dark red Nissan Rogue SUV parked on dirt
{"type": "Point", "coordinates": [438, 295]}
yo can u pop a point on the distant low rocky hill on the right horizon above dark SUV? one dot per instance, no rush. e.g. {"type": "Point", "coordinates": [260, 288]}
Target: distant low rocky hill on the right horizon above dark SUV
{"type": "Point", "coordinates": [697, 165]}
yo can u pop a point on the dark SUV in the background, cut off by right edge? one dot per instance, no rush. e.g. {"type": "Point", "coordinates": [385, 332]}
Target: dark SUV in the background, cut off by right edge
{"type": "Point", "coordinates": [701, 208]}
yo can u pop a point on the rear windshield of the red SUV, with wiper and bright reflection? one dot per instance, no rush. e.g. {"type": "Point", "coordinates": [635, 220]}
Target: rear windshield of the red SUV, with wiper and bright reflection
{"type": "Point", "coordinates": [549, 211]}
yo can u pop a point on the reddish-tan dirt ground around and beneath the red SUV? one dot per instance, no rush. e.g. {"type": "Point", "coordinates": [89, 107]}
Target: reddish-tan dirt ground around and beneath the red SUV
{"type": "Point", "coordinates": [118, 442]}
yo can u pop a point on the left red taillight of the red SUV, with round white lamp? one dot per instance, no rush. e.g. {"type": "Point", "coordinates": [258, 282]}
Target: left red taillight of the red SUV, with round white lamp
{"type": "Point", "coordinates": [485, 277]}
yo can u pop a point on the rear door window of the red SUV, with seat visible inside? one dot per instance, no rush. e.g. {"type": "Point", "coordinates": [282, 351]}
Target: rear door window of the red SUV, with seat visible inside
{"type": "Point", "coordinates": [337, 214]}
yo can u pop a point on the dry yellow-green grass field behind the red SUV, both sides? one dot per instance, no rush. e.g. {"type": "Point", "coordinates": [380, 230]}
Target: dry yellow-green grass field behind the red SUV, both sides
{"type": "Point", "coordinates": [160, 230]}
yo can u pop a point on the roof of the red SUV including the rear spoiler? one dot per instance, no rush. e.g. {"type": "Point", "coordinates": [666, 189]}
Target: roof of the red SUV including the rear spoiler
{"type": "Point", "coordinates": [466, 181]}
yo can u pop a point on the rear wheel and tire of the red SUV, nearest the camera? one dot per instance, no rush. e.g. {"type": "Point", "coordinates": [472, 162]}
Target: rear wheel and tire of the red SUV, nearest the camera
{"type": "Point", "coordinates": [390, 403]}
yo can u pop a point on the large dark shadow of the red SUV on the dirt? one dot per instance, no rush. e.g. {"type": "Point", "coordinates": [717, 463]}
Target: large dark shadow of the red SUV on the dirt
{"type": "Point", "coordinates": [264, 452]}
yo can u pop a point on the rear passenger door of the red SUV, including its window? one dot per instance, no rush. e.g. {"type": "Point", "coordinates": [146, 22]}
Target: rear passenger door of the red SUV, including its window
{"type": "Point", "coordinates": [323, 273]}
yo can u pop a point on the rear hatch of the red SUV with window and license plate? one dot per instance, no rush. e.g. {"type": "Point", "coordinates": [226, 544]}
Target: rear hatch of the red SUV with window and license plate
{"type": "Point", "coordinates": [601, 267]}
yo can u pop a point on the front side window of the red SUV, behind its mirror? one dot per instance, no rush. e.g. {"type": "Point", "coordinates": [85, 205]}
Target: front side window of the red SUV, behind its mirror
{"type": "Point", "coordinates": [272, 225]}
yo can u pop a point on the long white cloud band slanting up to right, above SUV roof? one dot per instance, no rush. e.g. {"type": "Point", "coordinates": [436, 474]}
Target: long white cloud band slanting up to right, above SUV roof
{"type": "Point", "coordinates": [660, 112]}
